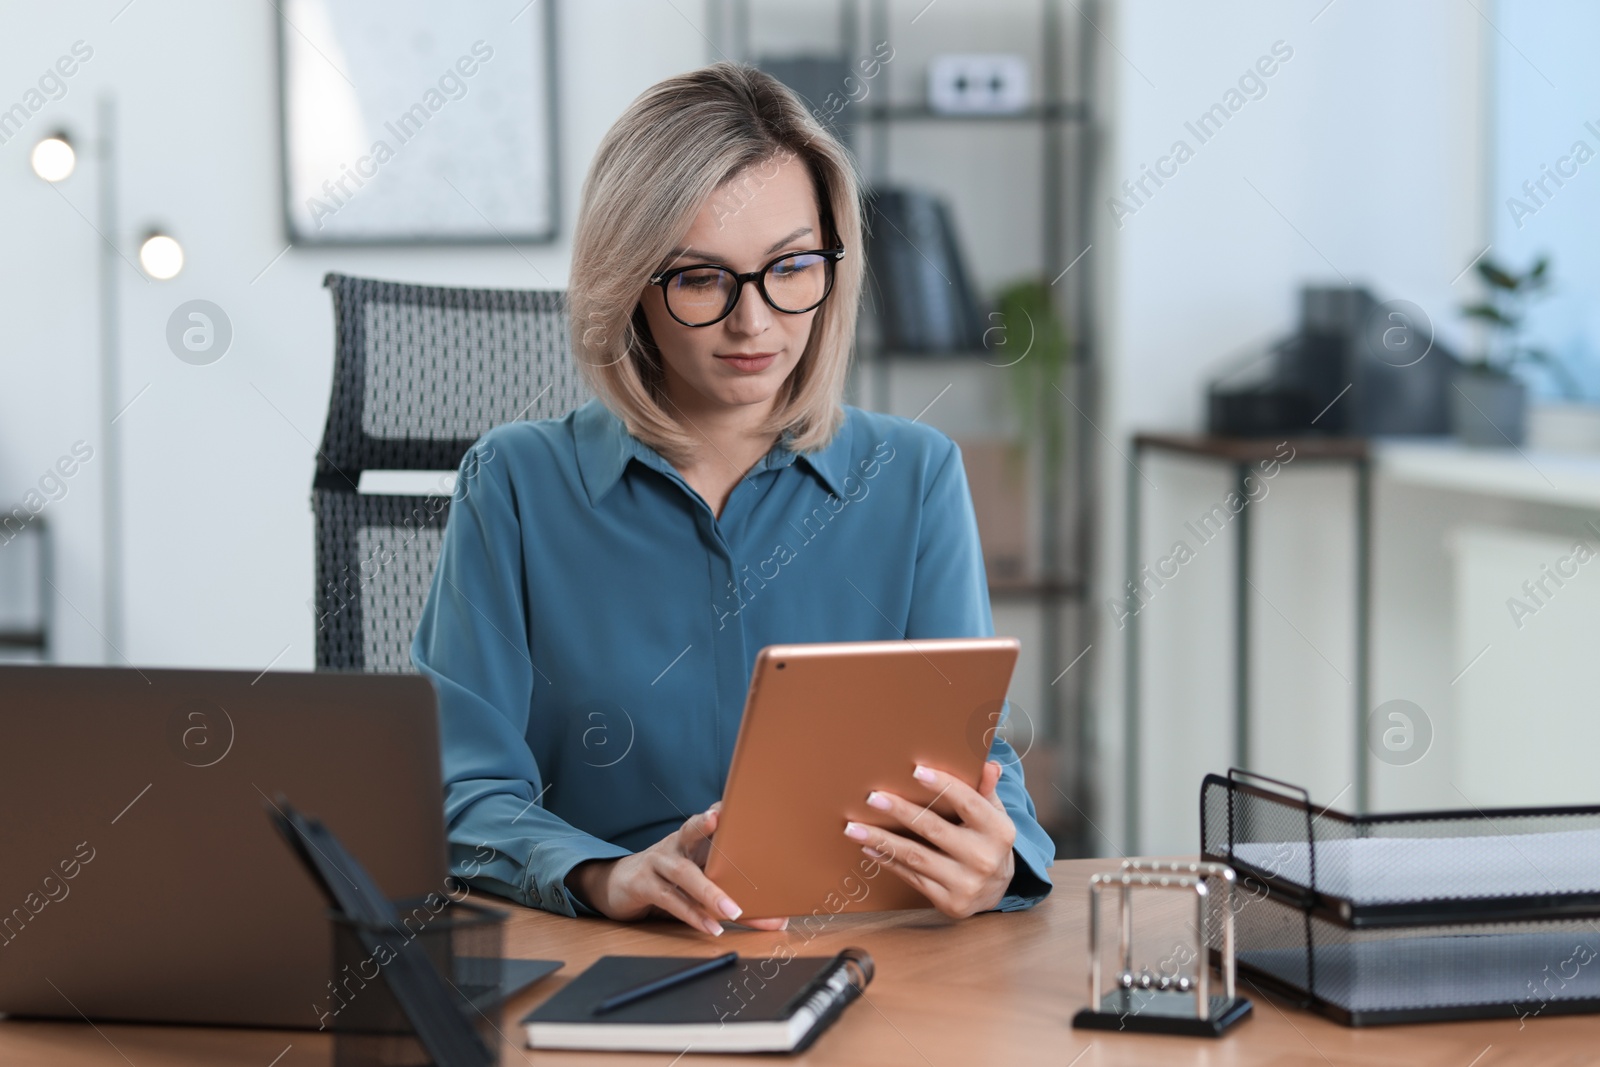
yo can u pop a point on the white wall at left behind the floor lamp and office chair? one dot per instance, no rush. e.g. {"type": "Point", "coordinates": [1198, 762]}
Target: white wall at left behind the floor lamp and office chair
{"type": "Point", "coordinates": [220, 458]}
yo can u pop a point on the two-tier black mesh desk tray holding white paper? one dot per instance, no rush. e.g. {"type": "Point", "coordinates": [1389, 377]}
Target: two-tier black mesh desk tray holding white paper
{"type": "Point", "coordinates": [1410, 917]}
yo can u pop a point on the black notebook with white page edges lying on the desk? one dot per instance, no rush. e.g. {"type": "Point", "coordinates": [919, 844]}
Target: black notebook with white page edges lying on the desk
{"type": "Point", "coordinates": [756, 1005]}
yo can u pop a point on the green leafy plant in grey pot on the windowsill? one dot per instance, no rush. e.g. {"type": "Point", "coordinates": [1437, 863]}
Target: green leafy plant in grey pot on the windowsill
{"type": "Point", "coordinates": [1490, 404]}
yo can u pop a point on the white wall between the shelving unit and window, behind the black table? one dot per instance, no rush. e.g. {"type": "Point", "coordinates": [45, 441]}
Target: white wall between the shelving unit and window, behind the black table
{"type": "Point", "coordinates": [1364, 162]}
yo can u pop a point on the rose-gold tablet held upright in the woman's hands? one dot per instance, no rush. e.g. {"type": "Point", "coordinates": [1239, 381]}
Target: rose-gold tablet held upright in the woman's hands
{"type": "Point", "coordinates": [823, 727]}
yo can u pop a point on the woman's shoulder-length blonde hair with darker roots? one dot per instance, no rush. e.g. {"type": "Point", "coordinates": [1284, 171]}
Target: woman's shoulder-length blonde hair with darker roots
{"type": "Point", "coordinates": [670, 153]}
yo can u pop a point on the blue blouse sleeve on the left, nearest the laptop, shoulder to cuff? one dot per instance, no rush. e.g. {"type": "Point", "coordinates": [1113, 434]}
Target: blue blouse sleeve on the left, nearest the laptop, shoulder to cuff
{"type": "Point", "coordinates": [473, 642]}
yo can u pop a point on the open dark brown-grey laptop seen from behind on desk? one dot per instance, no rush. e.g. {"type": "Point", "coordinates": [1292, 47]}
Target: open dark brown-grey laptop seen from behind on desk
{"type": "Point", "coordinates": [140, 874]}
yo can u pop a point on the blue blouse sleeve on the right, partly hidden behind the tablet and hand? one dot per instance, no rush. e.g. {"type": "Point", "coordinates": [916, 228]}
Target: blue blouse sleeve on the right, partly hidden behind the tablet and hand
{"type": "Point", "coordinates": [951, 599]}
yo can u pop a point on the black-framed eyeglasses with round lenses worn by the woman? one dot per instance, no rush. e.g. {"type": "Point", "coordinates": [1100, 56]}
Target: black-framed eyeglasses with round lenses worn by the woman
{"type": "Point", "coordinates": [705, 294]}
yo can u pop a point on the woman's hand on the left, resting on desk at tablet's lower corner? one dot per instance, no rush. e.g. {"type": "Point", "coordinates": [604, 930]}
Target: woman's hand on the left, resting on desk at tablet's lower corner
{"type": "Point", "coordinates": [666, 877]}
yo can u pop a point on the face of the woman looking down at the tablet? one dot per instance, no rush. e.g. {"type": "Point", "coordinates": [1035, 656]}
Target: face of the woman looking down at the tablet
{"type": "Point", "coordinates": [764, 212]}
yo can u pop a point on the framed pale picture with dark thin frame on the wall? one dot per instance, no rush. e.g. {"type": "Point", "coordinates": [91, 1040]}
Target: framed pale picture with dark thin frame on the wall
{"type": "Point", "coordinates": [414, 122]}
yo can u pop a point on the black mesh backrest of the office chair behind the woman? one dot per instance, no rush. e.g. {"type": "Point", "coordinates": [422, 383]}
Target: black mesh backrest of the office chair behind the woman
{"type": "Point", "coordinates": [420, 374]}
